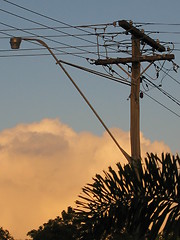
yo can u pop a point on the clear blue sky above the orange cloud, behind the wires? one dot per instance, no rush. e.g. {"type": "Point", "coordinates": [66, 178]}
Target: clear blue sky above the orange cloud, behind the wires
{"type": "Point", "coordinates": [33, 88]}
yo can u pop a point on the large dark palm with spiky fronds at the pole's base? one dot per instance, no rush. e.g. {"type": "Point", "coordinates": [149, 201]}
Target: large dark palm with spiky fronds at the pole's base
{"type": "Point", "coordinates": [123, 204]}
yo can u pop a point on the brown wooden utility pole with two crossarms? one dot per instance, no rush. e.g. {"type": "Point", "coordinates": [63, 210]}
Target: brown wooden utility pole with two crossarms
{"type": "Point", "coordinates": [136, 59]}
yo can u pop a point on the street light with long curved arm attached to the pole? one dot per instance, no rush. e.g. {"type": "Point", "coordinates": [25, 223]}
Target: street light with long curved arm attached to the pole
{"type": "Point", "coordinates": [15, 43]}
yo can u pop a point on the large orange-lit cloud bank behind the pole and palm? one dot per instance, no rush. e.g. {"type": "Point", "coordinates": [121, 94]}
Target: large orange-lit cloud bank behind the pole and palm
{"type": "Point", "coordinates": [44, 165]}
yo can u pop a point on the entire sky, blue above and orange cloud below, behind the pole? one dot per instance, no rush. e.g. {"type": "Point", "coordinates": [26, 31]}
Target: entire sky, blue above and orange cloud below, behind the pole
{"type": "Point", "coordinates": [51, 144]}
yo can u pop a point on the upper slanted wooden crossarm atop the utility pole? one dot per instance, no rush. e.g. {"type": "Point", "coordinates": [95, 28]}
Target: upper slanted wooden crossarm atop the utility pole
{"type": "Point", "coordinates": [140, 35]}
